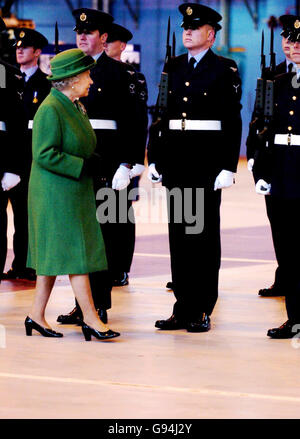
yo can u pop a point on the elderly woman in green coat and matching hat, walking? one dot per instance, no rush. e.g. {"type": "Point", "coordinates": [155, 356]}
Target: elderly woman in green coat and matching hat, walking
{"type": "Point", "coordinates": [64, 236]}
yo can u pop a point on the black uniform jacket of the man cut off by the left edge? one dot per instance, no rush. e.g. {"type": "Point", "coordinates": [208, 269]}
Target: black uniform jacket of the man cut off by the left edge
{"type": "Point", "coordinates": [12, 119]}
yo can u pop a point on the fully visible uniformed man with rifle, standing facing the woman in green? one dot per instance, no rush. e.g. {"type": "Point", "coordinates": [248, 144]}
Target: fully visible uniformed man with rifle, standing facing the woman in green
{"type": "Point", "coordinates": [199, 148]}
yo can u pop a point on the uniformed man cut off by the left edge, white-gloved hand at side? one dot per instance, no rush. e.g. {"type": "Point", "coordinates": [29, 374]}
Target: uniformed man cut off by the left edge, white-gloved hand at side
{"type": "Point", "coordinates": [12, 133]}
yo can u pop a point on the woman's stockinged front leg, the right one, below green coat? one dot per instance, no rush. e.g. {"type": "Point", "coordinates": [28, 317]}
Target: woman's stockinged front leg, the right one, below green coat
{"type": "Point", "coordinates": [82, 291]}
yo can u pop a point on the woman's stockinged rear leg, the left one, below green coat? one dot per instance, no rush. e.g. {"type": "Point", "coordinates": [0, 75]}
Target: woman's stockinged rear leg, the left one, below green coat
{"type": "Point", "coordinates": [44, 285]}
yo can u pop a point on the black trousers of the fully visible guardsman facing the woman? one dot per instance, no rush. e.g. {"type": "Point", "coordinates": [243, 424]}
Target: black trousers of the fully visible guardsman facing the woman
{"type": "Point", "coordinates": [195, 259]}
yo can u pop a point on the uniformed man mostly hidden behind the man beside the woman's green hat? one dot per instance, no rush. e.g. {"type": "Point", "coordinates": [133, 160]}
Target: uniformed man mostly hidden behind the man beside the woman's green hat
{"type": "Point", "coordinates": [118, 37]}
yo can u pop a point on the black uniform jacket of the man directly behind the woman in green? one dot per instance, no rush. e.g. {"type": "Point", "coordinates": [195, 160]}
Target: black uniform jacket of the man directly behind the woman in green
{"type": "Point", "coordinates": [113, 96]}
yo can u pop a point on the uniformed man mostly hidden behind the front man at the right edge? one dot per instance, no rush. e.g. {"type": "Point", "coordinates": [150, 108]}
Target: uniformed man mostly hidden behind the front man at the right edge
{"type": "Point", "coordinates": [277, 288]}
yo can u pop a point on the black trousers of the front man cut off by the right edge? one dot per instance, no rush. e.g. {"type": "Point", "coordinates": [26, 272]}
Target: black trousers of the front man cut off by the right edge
{"type": "Point", "coordinates": [287, 214]}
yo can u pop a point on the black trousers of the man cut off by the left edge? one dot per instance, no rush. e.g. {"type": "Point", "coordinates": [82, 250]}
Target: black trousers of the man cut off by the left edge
{"type": "Point", "coordinates": [18, 198]}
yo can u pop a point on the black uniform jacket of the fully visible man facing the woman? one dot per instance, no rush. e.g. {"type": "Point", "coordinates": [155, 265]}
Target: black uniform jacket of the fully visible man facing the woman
{"type": "Point", "coordinates": [210, 93]}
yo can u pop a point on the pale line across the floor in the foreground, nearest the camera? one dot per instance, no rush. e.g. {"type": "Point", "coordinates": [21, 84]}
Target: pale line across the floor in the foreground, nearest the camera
{"type": "Point", "coordinates": [208, 392]}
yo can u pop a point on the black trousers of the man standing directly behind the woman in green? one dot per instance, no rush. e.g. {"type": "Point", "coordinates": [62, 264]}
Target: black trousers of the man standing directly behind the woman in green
{"type": "Point", "coordinates": [119, 240]}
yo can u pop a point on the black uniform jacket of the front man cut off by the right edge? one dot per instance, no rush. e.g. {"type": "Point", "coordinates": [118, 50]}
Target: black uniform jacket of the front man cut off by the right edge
{"type": "Point", "coordinates": [282, 162]}
